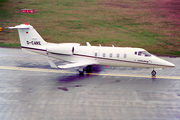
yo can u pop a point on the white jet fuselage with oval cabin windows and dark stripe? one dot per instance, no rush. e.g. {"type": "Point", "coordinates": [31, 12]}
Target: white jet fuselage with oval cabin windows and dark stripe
{"type": "Point", "coordinates": [109, 56]}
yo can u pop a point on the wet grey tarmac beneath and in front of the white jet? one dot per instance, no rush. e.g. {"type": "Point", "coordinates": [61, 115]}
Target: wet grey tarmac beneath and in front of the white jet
{"type": "Point", "coordinates": [31, 90]}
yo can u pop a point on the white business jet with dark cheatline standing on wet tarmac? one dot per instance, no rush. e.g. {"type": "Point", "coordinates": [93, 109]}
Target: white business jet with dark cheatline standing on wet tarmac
{"type": "Point", "coordinates": [84, 57]}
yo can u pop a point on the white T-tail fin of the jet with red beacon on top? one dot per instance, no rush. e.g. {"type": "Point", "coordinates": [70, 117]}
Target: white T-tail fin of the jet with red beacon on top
{"type": "Point", "coordinates": [29, 36]}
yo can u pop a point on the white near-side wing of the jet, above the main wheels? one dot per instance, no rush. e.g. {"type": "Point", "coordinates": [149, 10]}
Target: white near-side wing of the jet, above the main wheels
{"type": "Point", "coordinates": [76, 64]}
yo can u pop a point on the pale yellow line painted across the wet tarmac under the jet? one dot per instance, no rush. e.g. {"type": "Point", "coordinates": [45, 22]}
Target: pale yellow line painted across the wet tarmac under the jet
{"type": "Point", "coordinates": [65, 71]}
